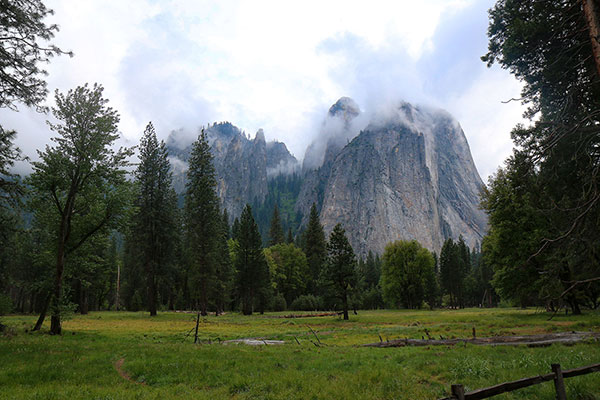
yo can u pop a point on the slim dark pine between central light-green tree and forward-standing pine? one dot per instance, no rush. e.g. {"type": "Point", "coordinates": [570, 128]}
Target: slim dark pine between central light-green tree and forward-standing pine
{"type": "Point", "coordinates": [315, 248]}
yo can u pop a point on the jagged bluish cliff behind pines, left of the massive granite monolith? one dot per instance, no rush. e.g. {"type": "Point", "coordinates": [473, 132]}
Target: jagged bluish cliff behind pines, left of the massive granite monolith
{"type": "Point", "coordinates": [242, 165]}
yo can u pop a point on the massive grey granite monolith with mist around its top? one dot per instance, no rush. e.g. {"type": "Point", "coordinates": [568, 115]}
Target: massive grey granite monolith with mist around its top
{"type": "Point", "coordinates": [407, 175]}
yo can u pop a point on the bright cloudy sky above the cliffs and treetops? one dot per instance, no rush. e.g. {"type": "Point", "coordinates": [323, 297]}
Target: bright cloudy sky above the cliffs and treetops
{"type": "Point", "coordinates": [277, 65]}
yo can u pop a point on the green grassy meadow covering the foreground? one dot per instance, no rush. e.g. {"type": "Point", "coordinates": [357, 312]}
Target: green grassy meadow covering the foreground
{"type": "Point", "coordinates": [80, 363]}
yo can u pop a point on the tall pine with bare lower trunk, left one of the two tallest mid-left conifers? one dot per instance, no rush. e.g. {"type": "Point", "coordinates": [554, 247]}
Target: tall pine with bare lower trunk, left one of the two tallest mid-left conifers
{"type": "Point", "coordinates": [154, 221]}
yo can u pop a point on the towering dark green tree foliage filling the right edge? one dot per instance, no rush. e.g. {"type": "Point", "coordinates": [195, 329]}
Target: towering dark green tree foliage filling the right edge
{"type": "Point", "coordinates": [544, 205]}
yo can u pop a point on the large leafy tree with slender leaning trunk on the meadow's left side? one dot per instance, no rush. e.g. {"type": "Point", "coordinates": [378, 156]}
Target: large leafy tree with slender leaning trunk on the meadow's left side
{"type": "Point", "coordinates": [78, 187]}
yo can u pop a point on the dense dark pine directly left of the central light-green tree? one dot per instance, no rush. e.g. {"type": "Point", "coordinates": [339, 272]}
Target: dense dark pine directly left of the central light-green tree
{"type": "Point", "coordinates": [252, 279]}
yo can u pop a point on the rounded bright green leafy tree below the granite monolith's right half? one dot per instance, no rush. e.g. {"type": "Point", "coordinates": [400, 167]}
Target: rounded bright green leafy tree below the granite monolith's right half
{"type": "Point", "coordinates": [406, 270]}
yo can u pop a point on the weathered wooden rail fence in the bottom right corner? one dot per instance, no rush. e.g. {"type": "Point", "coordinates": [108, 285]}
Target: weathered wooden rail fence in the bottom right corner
{"type": "Point", "coordinates": [557, 375]}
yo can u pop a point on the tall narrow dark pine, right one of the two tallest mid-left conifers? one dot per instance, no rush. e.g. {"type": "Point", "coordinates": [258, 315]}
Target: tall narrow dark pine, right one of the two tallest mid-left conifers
{"type": "Point", "coordinates": [202, 222]}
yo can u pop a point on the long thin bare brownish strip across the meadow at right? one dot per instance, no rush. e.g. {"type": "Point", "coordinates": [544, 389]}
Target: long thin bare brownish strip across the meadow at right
{"type": "Point", "coordinates": [567, 338]}
